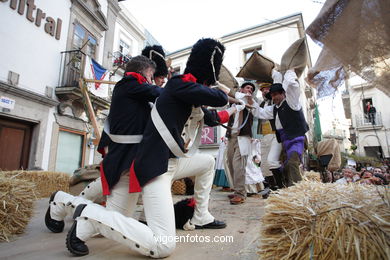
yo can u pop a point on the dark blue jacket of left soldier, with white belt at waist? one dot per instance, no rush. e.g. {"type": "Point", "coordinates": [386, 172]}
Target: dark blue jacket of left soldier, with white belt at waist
{"type": "Point", "coordinates": [129, 114]}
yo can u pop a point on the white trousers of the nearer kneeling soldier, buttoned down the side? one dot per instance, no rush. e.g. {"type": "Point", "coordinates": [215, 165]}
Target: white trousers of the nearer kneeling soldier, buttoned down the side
{"type": "Point", "coordinates": [157, 239]}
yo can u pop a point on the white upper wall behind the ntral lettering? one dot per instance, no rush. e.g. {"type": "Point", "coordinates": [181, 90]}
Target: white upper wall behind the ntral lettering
{"type": "Point", "coordinates": [28, 50]}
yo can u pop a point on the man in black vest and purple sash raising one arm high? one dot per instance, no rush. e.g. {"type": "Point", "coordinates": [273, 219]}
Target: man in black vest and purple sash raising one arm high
{"type": "Point", "coordinates": [290, 123]}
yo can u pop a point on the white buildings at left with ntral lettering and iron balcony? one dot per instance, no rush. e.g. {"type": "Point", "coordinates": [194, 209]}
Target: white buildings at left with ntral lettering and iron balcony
{"type": "Point", "coordinates": [43, 123]}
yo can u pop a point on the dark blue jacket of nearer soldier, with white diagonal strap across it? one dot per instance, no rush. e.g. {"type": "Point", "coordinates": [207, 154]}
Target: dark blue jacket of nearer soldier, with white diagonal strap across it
{"type": "Point", "coordinates": [174, 105]}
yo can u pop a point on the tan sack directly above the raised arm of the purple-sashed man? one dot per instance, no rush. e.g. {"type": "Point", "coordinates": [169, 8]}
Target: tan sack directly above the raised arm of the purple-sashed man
{"type": "Point", "coordinates": [295, 57]}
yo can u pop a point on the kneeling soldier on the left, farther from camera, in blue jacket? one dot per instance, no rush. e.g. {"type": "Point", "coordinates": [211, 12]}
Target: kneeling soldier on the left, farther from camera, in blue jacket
{"type": "Point", "coordinates": [129, 113]}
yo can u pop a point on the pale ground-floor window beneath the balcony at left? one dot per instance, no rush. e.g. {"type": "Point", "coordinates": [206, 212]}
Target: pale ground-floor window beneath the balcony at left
{"type": "Point", "coordinates": [70, 151]}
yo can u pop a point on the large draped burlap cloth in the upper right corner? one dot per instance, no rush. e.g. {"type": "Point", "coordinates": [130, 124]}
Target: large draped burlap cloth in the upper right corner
{"type": "Point", "coordinates": [356, 36]}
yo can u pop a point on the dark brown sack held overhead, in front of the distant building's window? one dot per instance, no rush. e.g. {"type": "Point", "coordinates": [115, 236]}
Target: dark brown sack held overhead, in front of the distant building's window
{"type": "Point", "coordinates": [257, 67]}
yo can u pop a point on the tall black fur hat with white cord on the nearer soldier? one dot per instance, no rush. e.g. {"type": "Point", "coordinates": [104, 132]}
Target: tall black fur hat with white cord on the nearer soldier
{"type": "Point", "coordinates": [205, 61]}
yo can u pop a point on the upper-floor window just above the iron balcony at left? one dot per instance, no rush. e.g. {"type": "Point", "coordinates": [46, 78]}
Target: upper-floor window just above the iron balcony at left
{"type": "Point", "coordinates": [85, 41]}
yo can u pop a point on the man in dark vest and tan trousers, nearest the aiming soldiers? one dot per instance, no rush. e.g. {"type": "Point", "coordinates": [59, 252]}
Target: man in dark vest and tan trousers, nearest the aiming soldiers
{"type": "Point", "coordinates": [239, 138]}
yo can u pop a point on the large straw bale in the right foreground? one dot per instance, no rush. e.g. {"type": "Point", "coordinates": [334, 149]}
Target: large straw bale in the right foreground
{"type": "Point", "coordinates": [313, 220]}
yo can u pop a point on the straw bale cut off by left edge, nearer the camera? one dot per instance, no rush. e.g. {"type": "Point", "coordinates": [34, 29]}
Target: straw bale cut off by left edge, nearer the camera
{"type": "Point", "coordinates": [16, 198]}
